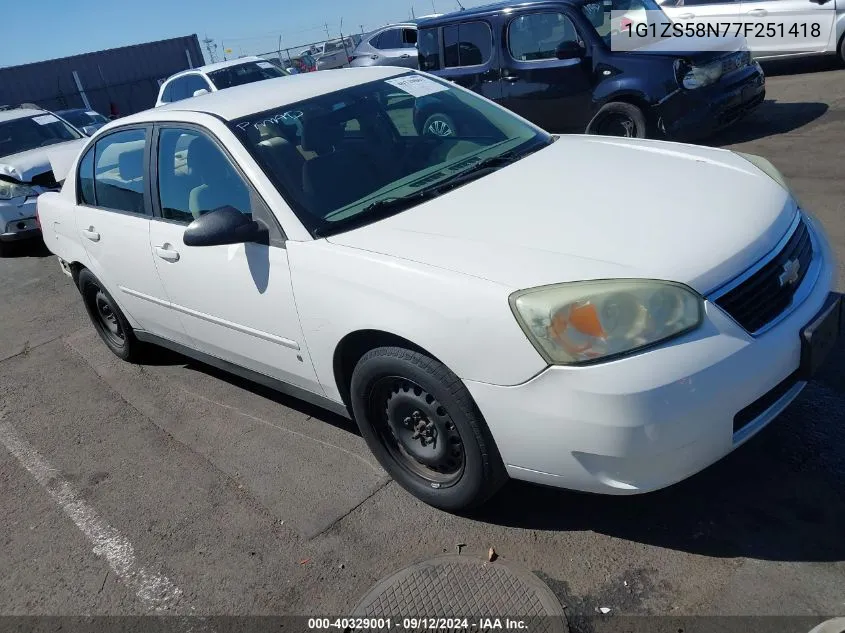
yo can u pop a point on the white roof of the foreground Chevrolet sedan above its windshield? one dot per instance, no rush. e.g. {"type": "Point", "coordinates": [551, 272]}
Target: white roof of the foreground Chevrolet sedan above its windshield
{"type": "Point", "coordinates": [239, 101]}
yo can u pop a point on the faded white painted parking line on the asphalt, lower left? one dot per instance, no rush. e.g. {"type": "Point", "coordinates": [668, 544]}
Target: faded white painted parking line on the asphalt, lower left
{"type": "Point", "coordinates": [155, 591]}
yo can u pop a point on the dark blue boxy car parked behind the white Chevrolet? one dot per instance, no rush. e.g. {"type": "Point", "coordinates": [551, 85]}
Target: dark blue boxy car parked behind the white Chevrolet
{"type": "Point", "coordinates": [551, 62]}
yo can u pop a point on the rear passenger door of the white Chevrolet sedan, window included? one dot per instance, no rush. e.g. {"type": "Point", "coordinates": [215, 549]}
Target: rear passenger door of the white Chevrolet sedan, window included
{"type": "Point", "coordinates": [113, 222]}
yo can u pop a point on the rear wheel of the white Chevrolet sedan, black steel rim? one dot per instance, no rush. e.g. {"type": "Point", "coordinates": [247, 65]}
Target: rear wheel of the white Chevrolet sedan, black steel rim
{"type": "Point", "coordinates": [107, 318]}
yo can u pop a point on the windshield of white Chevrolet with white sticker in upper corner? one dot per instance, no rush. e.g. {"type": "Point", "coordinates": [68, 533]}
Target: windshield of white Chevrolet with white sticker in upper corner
{"type": "Point", "coordinates": [353, 156]}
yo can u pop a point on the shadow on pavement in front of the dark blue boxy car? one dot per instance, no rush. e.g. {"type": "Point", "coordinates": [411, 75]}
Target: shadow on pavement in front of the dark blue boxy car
{"type": "Point", "coordinates": [770, 118]}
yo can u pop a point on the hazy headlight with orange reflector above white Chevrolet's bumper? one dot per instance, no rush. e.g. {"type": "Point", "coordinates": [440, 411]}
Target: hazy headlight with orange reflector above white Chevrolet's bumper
{"type": "Point", "coordinates": [580, 322]}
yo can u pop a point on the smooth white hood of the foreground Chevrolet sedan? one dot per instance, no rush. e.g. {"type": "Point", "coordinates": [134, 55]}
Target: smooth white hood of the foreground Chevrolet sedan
{"type": "Point", "coordinates": [592, 207]}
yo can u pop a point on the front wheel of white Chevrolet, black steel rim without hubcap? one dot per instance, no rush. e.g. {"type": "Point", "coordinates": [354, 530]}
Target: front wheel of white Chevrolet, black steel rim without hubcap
{"type": "Point", "coordinates": [424, 428]}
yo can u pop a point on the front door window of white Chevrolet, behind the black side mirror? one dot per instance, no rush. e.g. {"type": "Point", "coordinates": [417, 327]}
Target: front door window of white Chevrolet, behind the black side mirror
{"type": "Point", "coordinates": [196, 177]}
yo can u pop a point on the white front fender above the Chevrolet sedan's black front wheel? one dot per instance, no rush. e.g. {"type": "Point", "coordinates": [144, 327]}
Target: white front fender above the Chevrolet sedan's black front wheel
{"type": "Point", "coordinates": [464, 321]}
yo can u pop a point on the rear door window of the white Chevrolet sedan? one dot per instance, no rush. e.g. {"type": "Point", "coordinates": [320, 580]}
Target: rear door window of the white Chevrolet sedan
{"type": "Point", "coordinates": [119, 178]}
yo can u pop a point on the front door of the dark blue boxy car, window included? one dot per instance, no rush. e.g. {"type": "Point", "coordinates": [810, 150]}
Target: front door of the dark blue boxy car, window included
{"type": "Point", "coordinates": [555, 94]}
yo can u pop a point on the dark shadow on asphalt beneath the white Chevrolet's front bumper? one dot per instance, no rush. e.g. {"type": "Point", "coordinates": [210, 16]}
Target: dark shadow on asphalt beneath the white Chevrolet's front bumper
{"type": "Point", "coordinates": [779, 497]}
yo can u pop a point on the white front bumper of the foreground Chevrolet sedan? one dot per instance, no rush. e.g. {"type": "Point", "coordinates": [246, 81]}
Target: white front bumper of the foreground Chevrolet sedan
{"type": "Point", "coordinates": [647, 421]}
